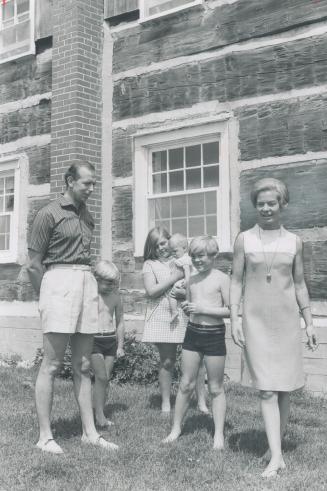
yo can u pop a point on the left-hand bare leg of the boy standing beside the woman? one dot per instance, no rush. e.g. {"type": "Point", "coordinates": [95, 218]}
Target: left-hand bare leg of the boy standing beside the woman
{"type": "Point", "coordinates": [190, 366]}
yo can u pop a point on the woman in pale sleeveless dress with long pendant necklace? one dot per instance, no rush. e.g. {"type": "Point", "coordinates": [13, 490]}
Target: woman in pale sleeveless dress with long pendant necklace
{"type": "Point", "coordinates": [268, 262]}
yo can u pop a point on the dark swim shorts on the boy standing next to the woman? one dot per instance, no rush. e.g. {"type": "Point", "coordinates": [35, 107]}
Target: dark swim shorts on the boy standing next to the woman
{"type": "Point", "coordinates": [207, 340]}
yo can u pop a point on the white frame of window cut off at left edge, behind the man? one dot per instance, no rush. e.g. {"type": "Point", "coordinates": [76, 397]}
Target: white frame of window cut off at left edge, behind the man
{"type": "Point", "coordinates": [17, 251]}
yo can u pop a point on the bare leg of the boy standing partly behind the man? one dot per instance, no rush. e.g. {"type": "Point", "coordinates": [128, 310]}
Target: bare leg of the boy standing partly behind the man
{"type": "Point", "coordinates": [100, 387]}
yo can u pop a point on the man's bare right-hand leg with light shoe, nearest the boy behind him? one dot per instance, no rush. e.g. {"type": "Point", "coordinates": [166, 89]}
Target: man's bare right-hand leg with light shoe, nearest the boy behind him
{"type": "Point", "coordinates": [81, 353]}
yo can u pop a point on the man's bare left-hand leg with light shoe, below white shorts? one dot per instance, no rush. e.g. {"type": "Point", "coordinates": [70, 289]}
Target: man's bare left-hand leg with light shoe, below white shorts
{"type": "Point", "coordinates": [54, 345]}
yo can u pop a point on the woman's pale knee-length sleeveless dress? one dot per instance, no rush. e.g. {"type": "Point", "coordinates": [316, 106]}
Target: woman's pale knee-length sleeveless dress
{"type": "Point", "coordinates": [271, 321]}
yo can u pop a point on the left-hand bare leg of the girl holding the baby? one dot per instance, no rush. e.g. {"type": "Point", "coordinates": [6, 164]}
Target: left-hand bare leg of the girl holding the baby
{"type": "Point", "coordinates": [167, 353]}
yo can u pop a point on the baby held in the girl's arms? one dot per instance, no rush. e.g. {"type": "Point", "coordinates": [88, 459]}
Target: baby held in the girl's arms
{"type": "Point", "coordinates": [179, 249]}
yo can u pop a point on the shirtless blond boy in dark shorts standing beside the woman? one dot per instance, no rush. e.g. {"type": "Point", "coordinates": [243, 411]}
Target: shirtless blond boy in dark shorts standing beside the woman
{"type": "Point", "coordinates": [205, 336]}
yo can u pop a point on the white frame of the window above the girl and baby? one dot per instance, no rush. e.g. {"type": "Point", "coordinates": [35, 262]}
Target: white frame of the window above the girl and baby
{"type": "Point", "coordinates": [144, 144]}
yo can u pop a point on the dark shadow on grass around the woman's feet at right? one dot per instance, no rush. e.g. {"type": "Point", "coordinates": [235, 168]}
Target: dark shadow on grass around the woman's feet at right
{"type": "Point", "coordinates": [255, 442]}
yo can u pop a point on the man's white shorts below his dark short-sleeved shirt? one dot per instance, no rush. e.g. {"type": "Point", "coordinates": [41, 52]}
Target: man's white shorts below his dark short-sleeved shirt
{"type": "Point", "coordinates": [69, 300]}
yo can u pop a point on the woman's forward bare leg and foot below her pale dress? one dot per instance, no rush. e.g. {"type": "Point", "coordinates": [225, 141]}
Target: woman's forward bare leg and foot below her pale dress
{"type": "Point", "coordinates": [272, 421]}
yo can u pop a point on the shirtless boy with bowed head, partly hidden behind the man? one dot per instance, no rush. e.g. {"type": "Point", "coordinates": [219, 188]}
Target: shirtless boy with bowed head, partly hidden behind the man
{"type": "Point", "coordinates": [108, 343]}
